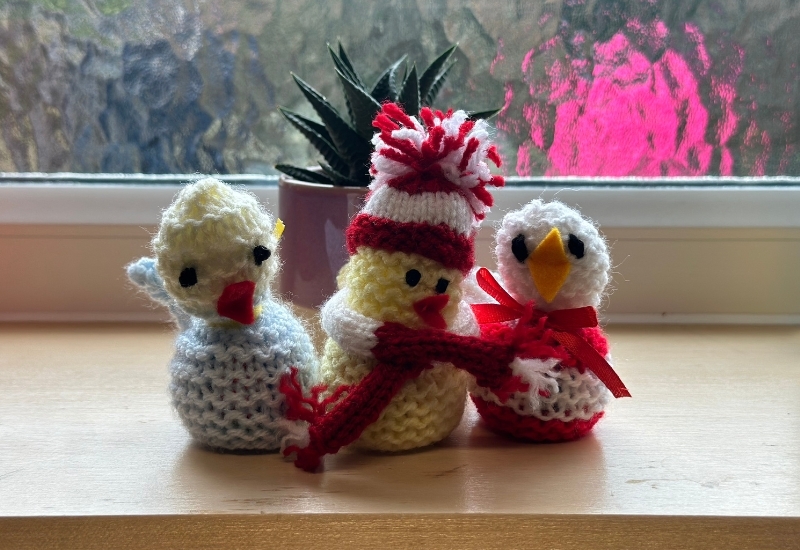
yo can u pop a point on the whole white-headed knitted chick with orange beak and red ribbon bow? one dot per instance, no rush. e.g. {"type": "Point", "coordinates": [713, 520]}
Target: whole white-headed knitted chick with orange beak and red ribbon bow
{"type": "Point", "coordinates": [555, 266]}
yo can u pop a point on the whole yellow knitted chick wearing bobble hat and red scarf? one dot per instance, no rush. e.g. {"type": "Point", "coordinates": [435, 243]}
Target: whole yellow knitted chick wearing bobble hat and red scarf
{"type": "Point", "coordinates": [398, 323]}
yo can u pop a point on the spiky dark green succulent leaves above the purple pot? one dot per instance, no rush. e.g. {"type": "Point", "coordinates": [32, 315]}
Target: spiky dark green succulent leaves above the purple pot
{"type": "Point", "coordinates": [345, 143]}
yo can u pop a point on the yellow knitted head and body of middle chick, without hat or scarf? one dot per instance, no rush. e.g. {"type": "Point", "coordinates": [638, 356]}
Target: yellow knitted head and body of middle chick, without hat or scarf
{"type": "Point", "coordinates": [429, 407]}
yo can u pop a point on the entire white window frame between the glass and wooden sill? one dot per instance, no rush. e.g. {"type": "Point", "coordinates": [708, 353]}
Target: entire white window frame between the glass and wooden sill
{"type": "Point", "coordinates": [690, 251]}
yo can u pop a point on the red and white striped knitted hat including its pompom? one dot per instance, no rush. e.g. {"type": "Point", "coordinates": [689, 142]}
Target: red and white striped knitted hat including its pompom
{"type": "Point", "coordinates": [428, 194]}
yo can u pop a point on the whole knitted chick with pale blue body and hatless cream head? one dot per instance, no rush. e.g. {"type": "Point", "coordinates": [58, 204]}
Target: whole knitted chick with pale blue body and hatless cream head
{"type": "Point", "coordinates": [215, 256]}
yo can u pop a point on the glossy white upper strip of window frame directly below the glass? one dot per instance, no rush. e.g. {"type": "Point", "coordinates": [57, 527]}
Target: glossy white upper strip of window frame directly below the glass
{"type": "Point", "coordinates": [139, 199]}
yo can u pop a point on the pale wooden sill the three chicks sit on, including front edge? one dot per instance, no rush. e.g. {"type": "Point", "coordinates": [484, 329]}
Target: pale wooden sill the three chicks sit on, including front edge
{"type": "Point", "coordinates": [707, 452]}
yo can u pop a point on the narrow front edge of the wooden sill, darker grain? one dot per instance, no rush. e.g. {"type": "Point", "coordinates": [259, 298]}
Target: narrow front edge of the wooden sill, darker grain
{"type": "Point", "coordinates": [460, 532]}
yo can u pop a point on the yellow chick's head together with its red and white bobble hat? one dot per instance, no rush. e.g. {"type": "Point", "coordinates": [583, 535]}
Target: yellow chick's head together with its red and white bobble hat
{"type": "Point", "coordinates": [414, 239]}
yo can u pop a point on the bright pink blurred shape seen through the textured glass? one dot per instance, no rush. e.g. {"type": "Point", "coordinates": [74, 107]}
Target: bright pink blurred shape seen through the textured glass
{"type": "Point", "coordinates": [620, 113]}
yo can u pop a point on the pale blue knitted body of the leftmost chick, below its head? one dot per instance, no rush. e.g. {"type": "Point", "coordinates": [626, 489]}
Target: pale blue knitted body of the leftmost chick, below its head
{"type": "Point", "coordinates": [224, 381]}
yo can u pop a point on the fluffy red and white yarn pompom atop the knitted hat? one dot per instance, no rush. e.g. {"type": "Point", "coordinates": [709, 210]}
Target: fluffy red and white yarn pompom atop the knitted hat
{"type": "Point", "coordinates": [448, 152]}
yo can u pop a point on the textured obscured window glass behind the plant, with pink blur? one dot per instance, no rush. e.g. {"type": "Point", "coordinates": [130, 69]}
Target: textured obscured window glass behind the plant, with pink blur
{"type": "Point", "coordinates": [588, 87]}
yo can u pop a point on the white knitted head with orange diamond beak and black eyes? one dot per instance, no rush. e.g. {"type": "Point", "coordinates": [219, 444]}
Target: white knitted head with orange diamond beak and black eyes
{"type": "Point", "coordinates": [549, 253]}
